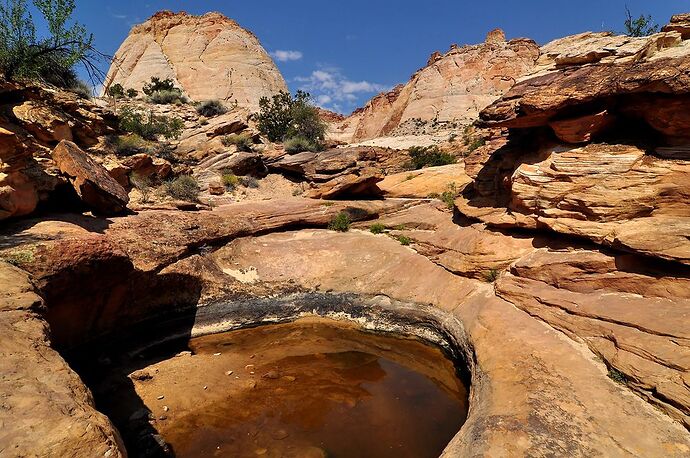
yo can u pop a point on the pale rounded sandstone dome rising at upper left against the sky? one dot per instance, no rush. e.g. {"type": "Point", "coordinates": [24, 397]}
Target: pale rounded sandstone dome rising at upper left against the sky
{"type": "Point", "coordinates": [209, 57]}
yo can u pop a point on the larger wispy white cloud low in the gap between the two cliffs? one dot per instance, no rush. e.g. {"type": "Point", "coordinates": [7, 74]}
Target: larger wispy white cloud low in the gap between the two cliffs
{"type": "Point", "coordinates": [334, 91]}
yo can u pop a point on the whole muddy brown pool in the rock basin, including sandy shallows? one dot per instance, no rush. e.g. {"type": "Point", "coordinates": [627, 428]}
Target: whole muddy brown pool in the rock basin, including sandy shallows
{"type": "Point", "coordinates": [311, 388]}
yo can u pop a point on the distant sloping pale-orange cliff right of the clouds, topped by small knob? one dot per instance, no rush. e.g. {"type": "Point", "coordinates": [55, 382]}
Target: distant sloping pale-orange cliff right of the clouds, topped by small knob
{"type": "Point", "coordinates": [454, 86]}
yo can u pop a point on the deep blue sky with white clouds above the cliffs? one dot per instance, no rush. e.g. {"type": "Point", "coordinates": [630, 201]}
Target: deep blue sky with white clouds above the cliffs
{"type": "Point", "coordinates": [344, 52]}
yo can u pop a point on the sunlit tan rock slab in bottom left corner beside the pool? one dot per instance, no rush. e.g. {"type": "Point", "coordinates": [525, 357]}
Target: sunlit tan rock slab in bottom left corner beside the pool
{"type": "Point", "coordinates": [46, 409]}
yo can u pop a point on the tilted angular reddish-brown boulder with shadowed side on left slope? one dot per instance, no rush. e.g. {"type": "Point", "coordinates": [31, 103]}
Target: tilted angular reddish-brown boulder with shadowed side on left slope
{"type": "Point", "coordinates": [90, 180]}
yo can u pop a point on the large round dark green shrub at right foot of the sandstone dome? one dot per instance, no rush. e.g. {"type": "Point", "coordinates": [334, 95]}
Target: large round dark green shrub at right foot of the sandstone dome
{"type": "Point", "coordinates": [284, 116]}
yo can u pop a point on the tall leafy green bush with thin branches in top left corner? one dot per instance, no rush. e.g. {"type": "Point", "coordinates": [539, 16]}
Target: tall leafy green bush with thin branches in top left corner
{"type": "Point", "coordinates": [50, 53]}
